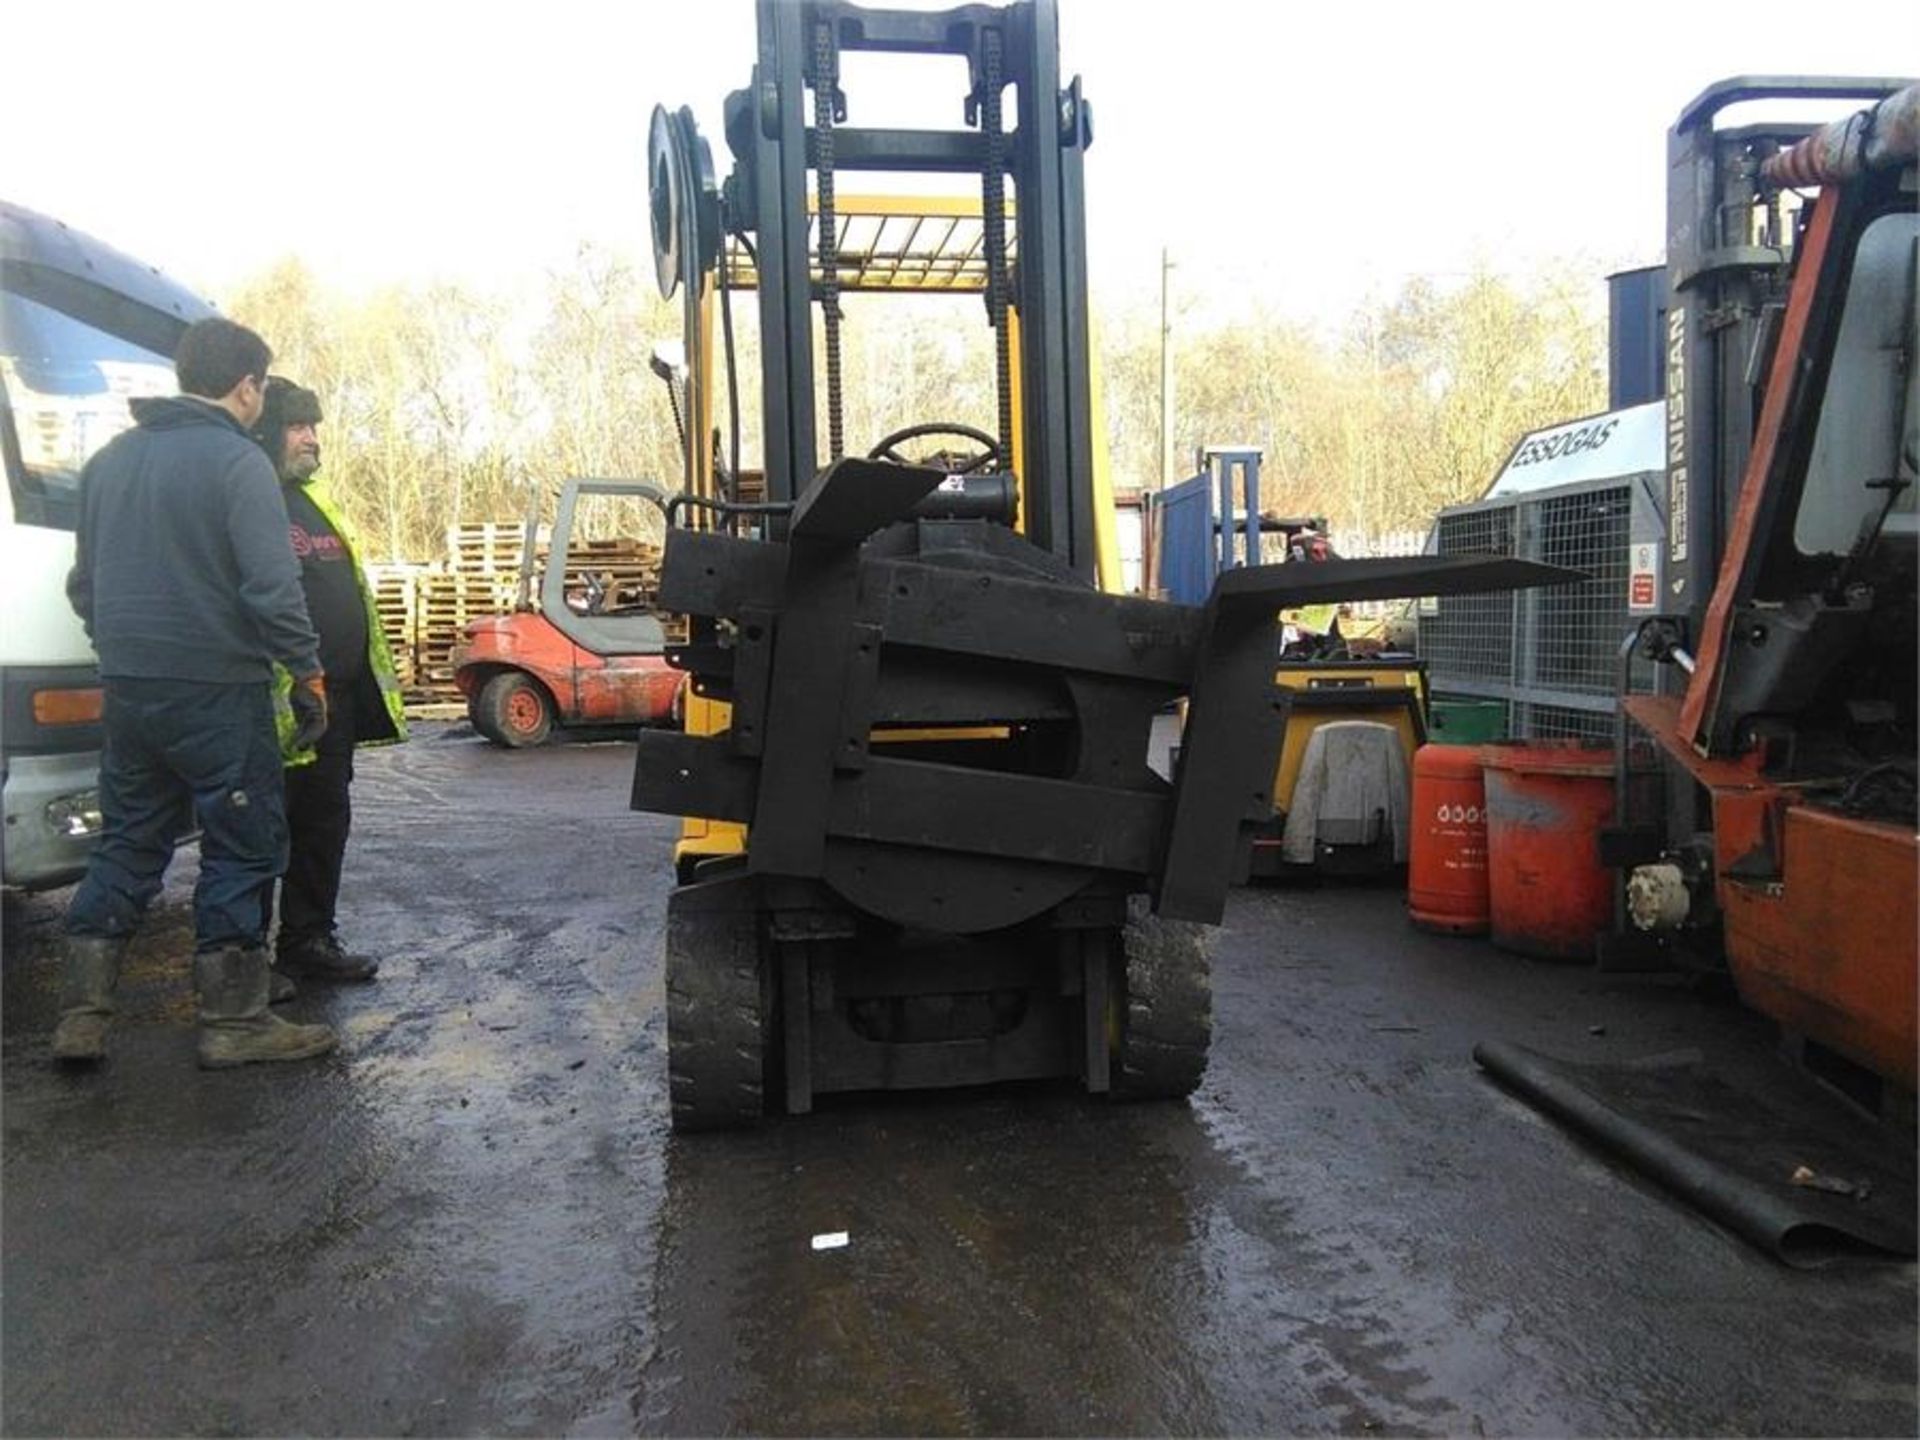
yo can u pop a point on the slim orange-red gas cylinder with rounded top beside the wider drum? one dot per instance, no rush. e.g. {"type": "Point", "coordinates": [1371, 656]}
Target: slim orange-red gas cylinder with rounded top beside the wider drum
{"type": "Point", "coordinates": [1447, 852]}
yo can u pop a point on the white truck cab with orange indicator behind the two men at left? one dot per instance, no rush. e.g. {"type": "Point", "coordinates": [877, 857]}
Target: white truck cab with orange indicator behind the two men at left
{"type": "Point", "coordinates": [84, 331]}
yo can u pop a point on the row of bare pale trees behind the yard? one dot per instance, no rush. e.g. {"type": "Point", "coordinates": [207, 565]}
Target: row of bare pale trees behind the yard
{"type": "Point", "coordinates": [446, 406]}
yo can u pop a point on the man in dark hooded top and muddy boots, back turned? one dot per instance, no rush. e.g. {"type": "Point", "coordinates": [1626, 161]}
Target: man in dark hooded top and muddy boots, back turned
{"type": "Point", "coordinates": [189, 588]}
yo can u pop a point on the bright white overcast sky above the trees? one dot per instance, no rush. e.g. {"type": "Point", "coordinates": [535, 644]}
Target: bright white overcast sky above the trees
{"type": "Point", "coordinates": [1310, 155]}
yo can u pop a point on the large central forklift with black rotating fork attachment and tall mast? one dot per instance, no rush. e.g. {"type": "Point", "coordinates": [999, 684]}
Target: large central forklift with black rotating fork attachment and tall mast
{"type": "Point", "coordinates": [959, 867]}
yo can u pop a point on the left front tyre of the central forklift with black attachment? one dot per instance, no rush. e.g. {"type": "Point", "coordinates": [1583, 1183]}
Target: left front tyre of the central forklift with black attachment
{"type": "Point", "coordinates": [719, 1015]}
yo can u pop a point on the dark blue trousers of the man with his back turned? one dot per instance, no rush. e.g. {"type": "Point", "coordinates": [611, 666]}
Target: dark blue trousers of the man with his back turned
{"type": "Point", "coordinates": [183, 754]}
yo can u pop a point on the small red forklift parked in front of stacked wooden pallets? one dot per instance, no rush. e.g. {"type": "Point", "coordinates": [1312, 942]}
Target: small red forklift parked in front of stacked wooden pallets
{"type": "Point", "coordinates": [590, 654]}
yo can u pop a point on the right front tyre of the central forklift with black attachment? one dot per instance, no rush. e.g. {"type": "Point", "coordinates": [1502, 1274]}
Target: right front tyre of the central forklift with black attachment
{"type": "Point", "coordinates": [1166, 1009]}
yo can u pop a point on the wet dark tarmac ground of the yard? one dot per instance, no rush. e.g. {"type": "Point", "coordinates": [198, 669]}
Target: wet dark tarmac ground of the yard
{"type": "Point", "coordinates": [475, 1216]}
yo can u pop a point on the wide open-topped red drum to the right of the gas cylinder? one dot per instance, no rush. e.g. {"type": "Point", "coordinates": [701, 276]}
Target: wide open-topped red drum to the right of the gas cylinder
{"type": "Point", "coordinates": [1547, 805]}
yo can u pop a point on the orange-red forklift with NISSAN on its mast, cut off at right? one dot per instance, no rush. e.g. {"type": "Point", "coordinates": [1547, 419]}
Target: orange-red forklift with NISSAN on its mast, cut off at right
{"type": "Point", "coordinates": [1767, 788]}
